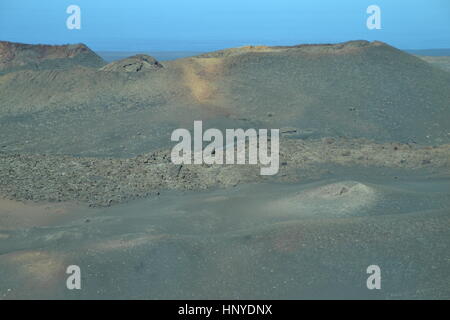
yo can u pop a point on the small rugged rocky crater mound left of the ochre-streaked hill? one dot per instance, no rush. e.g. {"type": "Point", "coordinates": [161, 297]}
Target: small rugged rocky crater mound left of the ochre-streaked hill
{"type": "Point", "coordinates": [137, 63]}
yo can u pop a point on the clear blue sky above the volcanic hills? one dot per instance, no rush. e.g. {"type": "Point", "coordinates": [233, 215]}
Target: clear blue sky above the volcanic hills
{"type": "Point", "coordinates": [202, 25]}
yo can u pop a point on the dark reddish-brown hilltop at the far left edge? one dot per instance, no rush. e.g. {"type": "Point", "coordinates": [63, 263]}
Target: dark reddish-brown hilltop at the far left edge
{"type": "Point", "coordinates": [18, 56]}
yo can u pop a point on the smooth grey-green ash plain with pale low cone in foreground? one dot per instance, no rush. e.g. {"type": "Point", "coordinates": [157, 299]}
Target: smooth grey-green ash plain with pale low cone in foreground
{"type": "Point", "coordinates": [263, 241]}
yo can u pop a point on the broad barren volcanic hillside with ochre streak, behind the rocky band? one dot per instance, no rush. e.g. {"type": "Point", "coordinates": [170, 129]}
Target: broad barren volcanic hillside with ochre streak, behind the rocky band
{"type": "Point", "coordinates": [354, 89]}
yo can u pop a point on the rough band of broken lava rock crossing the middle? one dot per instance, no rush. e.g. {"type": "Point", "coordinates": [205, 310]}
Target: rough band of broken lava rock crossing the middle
{"type": "Point", "coordinates": [103, 182]}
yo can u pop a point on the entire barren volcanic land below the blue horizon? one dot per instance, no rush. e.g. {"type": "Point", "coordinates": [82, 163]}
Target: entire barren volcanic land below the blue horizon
{"type": "Point", "coordinates": [86, 176]}
